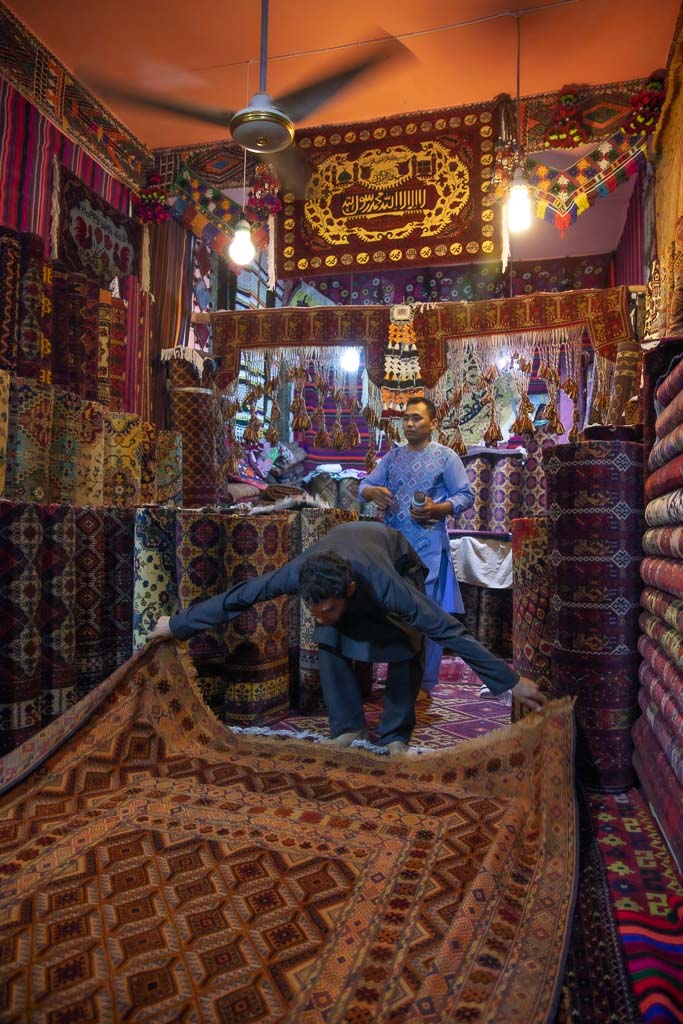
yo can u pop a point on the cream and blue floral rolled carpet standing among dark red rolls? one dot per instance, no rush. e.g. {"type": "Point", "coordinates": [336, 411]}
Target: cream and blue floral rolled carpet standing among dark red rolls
{"type": "Point", "coordinates": [155, 587]}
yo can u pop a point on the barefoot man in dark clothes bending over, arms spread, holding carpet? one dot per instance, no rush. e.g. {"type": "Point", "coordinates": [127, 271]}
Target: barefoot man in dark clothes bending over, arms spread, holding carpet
{"type": "Point", "coordinates": [365, 586]}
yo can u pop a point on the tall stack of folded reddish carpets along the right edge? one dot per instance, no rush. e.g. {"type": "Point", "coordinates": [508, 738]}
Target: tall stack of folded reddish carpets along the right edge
{"type": "Point", "coordinates": [659, 734]}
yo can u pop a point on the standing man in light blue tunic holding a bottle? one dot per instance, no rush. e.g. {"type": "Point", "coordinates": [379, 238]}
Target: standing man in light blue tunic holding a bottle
{"type": "Point", "coordinates": [436, 471]}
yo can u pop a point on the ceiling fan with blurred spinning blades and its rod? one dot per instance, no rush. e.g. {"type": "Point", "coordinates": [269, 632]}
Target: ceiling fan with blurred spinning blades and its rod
{"type": "Point", "coordinates": [266, 125]}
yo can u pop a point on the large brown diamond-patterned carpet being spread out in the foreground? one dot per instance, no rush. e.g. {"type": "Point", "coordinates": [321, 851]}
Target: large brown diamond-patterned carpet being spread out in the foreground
{"type": "Point", "coordinates": [158, 868]}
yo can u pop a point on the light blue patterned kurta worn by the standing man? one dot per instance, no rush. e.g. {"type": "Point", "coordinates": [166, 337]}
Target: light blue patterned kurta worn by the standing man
{"type": "Point", "coordinates": [441, 474]}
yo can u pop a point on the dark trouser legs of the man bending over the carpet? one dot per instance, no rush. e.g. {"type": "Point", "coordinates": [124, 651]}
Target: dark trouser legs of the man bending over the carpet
{"type": "Point", "coordinates": [344, 697]}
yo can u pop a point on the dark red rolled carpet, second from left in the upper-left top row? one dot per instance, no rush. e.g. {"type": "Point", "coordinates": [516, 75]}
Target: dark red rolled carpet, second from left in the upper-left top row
{"type": "Point", "coordinates": [34, 335]}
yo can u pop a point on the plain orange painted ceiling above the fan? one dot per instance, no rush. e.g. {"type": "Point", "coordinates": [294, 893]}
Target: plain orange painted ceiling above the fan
{"type": "Point", "coordinates": [208, 52]}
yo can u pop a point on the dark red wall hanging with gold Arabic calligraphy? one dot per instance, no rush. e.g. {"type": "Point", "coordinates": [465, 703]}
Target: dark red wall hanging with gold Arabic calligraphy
{"type": "Point", "coordinates": [410, 190]}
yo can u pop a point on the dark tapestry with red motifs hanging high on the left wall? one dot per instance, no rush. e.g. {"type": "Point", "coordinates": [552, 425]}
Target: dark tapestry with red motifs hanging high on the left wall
{"type": "Point", "coordinates": [94, 237]}
